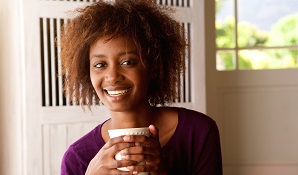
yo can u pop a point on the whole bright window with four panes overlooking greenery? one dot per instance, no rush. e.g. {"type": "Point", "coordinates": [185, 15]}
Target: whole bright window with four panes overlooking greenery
{"type": "Point", "coordinates": [256, 35]}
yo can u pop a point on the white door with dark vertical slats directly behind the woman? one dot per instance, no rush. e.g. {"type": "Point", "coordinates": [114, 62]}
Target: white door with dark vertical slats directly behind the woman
{"type": "Point", "coordinates": [52, 123]}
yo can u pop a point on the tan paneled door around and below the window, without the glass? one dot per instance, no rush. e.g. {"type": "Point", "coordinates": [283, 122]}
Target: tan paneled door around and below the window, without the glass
{"type": "Point", "coordinates": [257, 113]}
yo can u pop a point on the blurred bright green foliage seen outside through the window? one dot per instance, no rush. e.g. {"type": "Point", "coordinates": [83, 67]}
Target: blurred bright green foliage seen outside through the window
{"type": "Point", "coordinates": [283, 34]}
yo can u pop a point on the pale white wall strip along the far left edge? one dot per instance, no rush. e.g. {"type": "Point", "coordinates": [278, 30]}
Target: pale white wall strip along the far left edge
{"type": "Point", "coordinates": [10, 89]}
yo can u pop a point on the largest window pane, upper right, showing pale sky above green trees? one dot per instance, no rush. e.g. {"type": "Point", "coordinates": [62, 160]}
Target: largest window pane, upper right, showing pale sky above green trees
{"type": "Point", "coordinates": [267, 23]}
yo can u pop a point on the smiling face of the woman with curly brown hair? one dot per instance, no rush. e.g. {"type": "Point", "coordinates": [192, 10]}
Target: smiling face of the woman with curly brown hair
{"type": "Point", "coordinates": [117, 74]}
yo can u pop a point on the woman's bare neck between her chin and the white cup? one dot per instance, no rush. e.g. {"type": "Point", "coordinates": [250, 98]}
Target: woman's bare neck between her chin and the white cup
{"type": "Point", "coordinates": [142, 117]}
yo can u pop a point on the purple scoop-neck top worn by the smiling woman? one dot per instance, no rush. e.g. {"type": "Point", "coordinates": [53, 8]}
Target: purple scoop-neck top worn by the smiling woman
{"type": "Point", "coordinates": [194, 148]}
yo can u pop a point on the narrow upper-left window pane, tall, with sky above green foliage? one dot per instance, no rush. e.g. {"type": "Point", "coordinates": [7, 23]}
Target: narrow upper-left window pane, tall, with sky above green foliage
{"type": "Point", "coordinates": [225, 24]}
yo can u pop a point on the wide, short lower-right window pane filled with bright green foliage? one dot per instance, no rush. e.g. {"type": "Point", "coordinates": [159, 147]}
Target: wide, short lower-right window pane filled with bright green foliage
{"type": "Point", "coordinates": [268, 59]}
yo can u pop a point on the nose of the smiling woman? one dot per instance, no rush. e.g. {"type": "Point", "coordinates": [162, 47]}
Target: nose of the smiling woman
{"type": "Point", "coordinates": [113, 74]}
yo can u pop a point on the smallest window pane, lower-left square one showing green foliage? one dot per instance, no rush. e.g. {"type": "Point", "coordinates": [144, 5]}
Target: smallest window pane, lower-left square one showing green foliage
{"type": "Point", "coordinates": [225, 60]}
